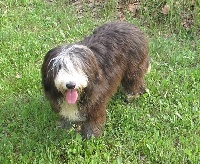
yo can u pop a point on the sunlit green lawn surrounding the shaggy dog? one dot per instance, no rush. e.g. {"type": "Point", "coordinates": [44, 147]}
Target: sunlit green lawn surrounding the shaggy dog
{"type": "Point", "coordinates": [160, 127]}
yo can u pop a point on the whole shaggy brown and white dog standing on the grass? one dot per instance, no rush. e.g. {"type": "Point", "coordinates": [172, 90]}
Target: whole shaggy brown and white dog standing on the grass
{"type": "Point", "coordinates": [79, 79]}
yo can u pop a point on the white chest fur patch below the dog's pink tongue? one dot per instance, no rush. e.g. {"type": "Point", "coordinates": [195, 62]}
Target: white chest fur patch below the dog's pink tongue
{"type": "Point", "coordinates": [71, 112]}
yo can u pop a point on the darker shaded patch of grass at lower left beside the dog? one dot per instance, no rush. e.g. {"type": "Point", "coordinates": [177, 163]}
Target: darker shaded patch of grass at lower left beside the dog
{"type": "Point", "coordinates": [29, 125]}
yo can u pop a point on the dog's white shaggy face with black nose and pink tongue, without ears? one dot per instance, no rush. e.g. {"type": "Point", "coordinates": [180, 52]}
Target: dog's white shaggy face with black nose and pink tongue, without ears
{"type": "Point", "coordinates": [68, 69]}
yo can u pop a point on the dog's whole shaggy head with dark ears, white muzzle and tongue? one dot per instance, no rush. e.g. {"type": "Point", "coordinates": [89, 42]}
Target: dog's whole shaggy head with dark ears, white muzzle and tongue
{"type": "Point", "coordinates": [68, 69]}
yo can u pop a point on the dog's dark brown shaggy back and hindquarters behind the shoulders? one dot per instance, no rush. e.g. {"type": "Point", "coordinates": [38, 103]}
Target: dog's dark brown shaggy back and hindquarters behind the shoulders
{"type": "Point", "coordinates": [121, 50]}
